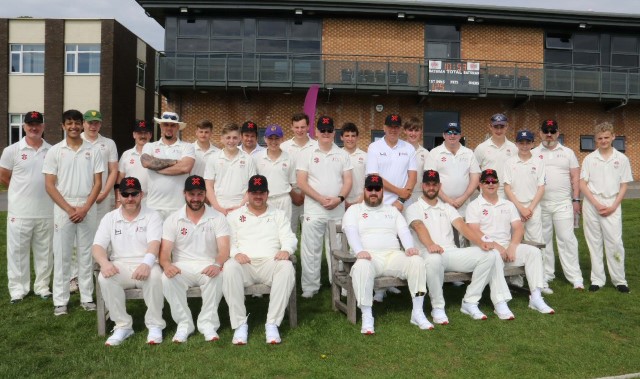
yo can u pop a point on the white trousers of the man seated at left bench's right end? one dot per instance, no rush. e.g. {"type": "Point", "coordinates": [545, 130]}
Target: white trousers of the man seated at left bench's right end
{"type": "Point", "coordinates": [277, 274]}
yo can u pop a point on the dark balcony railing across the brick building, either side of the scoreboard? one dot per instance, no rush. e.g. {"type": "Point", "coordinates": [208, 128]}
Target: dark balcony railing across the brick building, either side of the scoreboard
{"type": "Point", "coordinates": [388, 74]}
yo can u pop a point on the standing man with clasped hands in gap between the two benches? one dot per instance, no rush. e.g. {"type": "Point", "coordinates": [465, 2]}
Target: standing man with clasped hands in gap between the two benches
{"type": "Point", "coordinates": [324, 175]}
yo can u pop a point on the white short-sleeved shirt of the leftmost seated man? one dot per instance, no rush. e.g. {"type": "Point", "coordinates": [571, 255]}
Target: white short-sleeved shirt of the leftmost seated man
{"type": "Point", "coordinates": [129, 239]}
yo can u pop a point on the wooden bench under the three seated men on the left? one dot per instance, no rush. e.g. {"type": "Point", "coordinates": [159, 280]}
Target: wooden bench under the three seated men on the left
{"type": "Point", "coordinates": [136, 293]}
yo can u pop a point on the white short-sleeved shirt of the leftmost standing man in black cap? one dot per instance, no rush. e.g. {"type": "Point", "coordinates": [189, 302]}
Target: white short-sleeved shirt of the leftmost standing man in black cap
{"type": "Point", "coordinates": [27, 197]}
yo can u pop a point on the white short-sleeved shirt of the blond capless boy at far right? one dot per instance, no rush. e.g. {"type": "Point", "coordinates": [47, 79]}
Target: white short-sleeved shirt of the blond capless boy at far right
{"type": "Point", "coordinates": [604, 176]}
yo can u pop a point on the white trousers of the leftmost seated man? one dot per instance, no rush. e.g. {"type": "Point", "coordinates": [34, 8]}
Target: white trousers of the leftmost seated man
{"type": "Point", "coordinates": [112, 289]}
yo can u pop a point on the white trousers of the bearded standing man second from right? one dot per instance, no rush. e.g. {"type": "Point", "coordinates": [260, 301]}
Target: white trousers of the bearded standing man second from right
{"type": "Point", "coordinates": [559, 216]}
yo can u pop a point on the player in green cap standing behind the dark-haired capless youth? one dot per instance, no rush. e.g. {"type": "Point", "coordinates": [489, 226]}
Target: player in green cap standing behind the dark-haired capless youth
{"type": "Point", "coordinates": [107, 148]}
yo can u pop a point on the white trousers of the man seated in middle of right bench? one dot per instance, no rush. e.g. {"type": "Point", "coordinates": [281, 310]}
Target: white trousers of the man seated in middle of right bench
{"type": "Point", "coordinates": [469, 259]}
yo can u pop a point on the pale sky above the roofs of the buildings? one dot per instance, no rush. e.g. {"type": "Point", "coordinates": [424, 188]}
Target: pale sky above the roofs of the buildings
{"type": "Point", "coordinates": [132, 16]}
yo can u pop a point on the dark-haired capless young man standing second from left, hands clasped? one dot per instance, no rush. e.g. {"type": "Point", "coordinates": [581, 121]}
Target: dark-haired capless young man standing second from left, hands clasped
{"type": "Point", "coordinates": [73, 178]}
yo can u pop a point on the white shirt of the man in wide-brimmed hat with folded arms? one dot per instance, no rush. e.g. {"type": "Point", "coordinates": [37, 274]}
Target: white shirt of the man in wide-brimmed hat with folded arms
{"type": "Point", "coordinates": [165, 191]}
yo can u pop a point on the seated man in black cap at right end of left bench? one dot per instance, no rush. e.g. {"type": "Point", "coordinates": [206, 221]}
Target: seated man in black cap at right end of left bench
{"type": "Point", "coordinates": [261, 243]}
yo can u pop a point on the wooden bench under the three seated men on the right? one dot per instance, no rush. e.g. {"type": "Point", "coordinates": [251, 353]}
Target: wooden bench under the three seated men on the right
{"type": "Point", "coordinates": [342, 280]}
